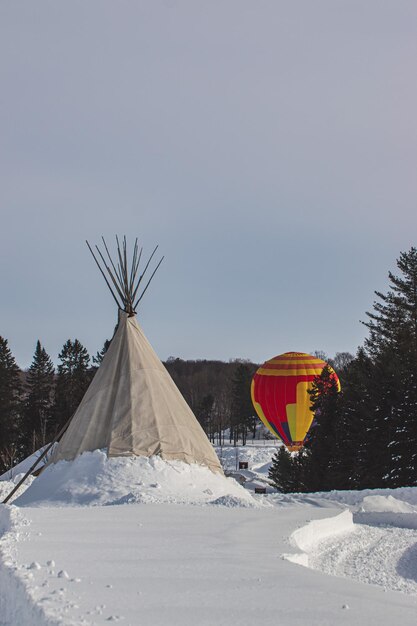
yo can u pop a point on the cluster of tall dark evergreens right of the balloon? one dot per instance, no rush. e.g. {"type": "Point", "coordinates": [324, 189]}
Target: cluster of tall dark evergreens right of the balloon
{"type": "Point", "coordinates": [365, 436]}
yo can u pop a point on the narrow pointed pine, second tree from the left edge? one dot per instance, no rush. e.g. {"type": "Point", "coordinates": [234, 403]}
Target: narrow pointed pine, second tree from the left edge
{"type": "Point", "coordinates": [38, 412]}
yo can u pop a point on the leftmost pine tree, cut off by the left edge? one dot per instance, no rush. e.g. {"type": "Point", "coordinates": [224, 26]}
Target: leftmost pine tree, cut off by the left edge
{"type": "Point", "coordinates": [10, 408]}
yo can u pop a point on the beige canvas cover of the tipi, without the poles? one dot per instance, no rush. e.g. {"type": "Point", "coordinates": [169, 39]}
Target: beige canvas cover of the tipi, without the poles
{"type": "Point", "coordinates": [133, 407]}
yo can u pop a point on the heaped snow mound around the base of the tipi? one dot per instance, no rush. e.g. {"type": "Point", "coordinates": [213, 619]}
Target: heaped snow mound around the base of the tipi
{"type": "Point", "coordinates": [93, 479]}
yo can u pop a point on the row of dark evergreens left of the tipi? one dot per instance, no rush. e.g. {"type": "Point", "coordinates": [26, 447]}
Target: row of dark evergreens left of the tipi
{"type": "Point", "coordinates": [34, 405]}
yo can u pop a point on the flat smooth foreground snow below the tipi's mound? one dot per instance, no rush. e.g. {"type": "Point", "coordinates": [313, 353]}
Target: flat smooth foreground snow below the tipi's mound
{"type": "Point", "coordinates": [170, 564]}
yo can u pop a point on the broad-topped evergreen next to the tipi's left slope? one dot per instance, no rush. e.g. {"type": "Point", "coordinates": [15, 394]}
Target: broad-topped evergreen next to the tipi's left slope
{"type": "Point", "coordinates": [73, 379]}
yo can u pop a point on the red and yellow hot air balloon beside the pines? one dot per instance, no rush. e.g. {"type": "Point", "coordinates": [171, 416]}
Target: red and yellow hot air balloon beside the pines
{"type": "Point", "coordinates": [280, 395]}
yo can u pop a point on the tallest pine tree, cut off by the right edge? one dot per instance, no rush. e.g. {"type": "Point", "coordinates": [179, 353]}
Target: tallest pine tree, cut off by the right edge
{"type": "Point", "coordinates": [392, 345]}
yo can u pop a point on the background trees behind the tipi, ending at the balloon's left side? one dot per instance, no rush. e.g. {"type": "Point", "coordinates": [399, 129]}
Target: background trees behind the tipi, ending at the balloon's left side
{"type": "Point", "coordinates": [34, 405]}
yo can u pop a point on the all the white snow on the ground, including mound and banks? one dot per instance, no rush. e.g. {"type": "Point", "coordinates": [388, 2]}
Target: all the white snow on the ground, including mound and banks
{"type": "Point", "coordinates": [149, 542]}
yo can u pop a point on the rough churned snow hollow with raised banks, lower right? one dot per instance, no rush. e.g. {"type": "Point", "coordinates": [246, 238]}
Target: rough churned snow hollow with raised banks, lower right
{"type": "Point", "coordinates": [383, 556]}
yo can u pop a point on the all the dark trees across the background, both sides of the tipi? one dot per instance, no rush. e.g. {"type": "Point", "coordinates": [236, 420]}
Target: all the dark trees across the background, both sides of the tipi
{"type": "Point", "coordinates": [362, 437]}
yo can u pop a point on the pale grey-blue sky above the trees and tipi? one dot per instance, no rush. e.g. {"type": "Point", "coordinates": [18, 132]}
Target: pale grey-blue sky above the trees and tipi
{"type": "Point", "coordinates": [269, 147]}
